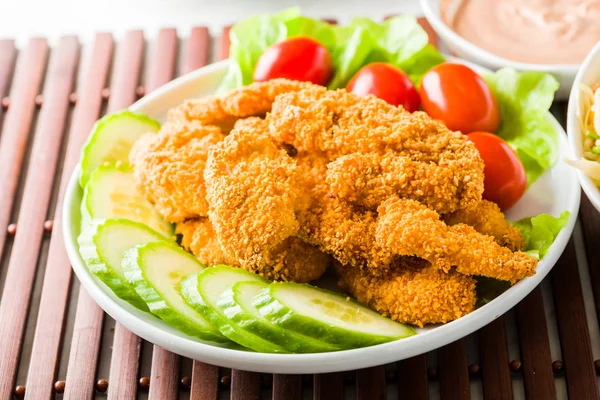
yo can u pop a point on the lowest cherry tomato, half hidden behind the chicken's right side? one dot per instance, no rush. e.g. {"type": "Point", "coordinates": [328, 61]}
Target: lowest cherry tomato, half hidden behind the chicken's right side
{"type": "Point", "coordinates": [504, 176]}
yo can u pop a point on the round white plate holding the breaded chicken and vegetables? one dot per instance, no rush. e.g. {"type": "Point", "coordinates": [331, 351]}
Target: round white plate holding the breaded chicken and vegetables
{"type": "Point", "coordinates": [557, 190]}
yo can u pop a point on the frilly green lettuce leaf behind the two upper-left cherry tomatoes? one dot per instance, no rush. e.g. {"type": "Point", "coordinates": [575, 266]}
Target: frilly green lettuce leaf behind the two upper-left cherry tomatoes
{"type": "Point", "coordinates": [399, 40]}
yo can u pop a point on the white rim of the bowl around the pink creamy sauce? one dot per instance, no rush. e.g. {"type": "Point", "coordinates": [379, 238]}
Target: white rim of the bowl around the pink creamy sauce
{"type": "Point", "coordinates": [436, 21]}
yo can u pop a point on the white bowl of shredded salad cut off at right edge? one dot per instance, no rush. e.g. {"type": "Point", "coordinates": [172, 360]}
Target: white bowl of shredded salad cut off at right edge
{"type": "Point", "coordinates": [589, 74]}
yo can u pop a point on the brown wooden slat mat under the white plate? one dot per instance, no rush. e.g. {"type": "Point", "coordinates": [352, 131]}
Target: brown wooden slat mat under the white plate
{"type": "Point", "coordinates": [55, 342]}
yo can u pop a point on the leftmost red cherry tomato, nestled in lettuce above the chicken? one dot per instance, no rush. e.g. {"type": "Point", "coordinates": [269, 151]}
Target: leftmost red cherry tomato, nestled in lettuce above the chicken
{"type": "Point", "coordinates": [298, 58]}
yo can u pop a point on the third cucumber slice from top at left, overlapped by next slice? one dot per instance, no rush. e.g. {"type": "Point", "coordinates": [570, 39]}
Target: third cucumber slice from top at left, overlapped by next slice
{"type": "Point", "coordinates": [102, 245]}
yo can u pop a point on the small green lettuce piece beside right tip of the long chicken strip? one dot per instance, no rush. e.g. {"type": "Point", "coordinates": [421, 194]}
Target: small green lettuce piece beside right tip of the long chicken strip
{"type": "Point", "coordinates": [540, 232]}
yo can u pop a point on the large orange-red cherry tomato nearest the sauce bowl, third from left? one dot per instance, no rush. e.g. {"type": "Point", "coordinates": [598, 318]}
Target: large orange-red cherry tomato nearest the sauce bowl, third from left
{"type": "Point", "coordinates": [459, 97]}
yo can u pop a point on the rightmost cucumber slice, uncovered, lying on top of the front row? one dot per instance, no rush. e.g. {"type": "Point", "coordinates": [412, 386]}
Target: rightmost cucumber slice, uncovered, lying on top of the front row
{"type": "Point", "coordinates": [327, 316]}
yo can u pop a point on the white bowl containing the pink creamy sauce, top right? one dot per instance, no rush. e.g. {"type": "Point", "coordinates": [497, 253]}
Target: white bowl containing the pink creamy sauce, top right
{"type": "Point", "coordinates": [462, 48]}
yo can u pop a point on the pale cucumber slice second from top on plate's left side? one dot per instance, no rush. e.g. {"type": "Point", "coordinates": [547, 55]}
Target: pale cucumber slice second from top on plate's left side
{"type": "Point", "coordinates": [113, 193]}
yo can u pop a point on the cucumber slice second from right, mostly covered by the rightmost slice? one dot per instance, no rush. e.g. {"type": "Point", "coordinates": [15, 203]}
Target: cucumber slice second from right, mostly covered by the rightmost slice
{"type": "Point", "coordinates": [236, 304]}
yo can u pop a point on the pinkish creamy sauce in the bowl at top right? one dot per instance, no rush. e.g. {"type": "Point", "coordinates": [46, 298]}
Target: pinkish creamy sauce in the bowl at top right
{"type": "Point", "coordinates": [530, 31]}
